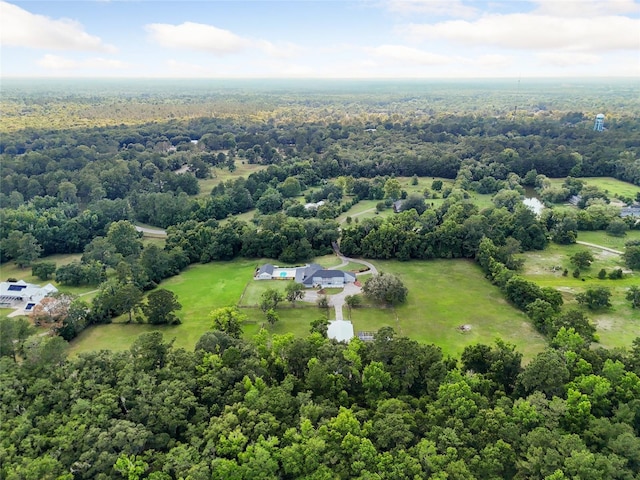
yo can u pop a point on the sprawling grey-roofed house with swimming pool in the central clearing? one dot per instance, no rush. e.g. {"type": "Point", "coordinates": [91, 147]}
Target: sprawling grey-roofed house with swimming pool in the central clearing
{"type": "Point", "coordinates": [310, 275]}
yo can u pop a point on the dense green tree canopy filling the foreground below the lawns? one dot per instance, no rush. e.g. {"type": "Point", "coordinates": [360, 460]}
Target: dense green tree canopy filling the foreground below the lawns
{"type": "Point", "coordinates": [316, 409]}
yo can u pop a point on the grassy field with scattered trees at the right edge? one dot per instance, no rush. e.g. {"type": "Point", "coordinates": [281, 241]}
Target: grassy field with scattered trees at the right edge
{"type": "Point", "coordinates": [616, 326]}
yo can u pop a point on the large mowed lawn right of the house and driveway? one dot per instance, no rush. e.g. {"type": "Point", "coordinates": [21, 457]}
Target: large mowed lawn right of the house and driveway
{"type": "Point", "coordinates": [445, 294]}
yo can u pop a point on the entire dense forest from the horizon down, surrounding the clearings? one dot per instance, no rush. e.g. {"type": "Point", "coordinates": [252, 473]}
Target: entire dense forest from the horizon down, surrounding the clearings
{"type": "Point", "coordinates": [80, 170]}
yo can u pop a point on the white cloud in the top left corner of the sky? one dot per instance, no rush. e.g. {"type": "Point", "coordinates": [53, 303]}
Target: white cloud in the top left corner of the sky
{"type": "Point", "coordinates": [21, 28]}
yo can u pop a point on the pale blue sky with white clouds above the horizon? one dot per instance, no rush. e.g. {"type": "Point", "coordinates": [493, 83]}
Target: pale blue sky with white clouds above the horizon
{"type": "Point", "coordinates": [320, 39]}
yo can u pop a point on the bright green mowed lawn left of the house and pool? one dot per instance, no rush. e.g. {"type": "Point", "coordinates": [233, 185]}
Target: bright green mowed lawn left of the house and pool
{"type": "Point", "coordinates": [200, 289]}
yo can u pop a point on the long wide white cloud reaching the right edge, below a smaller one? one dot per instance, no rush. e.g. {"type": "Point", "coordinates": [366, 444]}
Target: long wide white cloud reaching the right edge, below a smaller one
{"type": "Point", "coordinates": [537, 32]}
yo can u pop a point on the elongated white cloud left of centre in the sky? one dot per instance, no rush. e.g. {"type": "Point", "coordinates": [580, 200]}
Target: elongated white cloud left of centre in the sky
{"type": "Point", "coordinates": [207, 38]}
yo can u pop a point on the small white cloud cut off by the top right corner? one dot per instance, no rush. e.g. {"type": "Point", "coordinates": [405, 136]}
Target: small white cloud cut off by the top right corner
{"type": "Point", "coordinates": [586, 8]}
